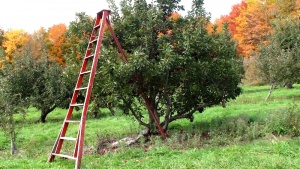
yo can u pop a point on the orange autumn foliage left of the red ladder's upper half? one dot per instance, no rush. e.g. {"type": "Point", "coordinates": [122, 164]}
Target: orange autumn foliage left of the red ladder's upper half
{"type": "Point", "coordinates": [57, 38]}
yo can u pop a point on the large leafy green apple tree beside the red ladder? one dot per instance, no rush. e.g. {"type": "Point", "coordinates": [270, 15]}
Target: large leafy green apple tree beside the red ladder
{"type": "Point", "coordinates": [174, 63]}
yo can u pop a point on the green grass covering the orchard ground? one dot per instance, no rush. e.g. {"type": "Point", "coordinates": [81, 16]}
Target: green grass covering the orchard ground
{"type": "Point", "coordinates": [248, 133]}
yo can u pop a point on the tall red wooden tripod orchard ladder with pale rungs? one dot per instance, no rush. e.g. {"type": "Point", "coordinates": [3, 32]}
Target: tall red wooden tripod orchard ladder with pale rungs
{"type": "Point", "coordinates": [92, 54]}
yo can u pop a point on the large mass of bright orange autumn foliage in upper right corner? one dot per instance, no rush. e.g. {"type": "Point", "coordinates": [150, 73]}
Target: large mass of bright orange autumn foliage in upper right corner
{"type": "Point", "coordinates": [250, 21]}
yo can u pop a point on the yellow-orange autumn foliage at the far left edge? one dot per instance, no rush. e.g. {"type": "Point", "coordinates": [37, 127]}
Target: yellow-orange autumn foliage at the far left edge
{"type": "Point", "coordinates": [14, 41]}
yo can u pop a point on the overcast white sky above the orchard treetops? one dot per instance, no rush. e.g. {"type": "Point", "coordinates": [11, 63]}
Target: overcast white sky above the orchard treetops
{"type": "Point", "coordinates": [30, 15]}
